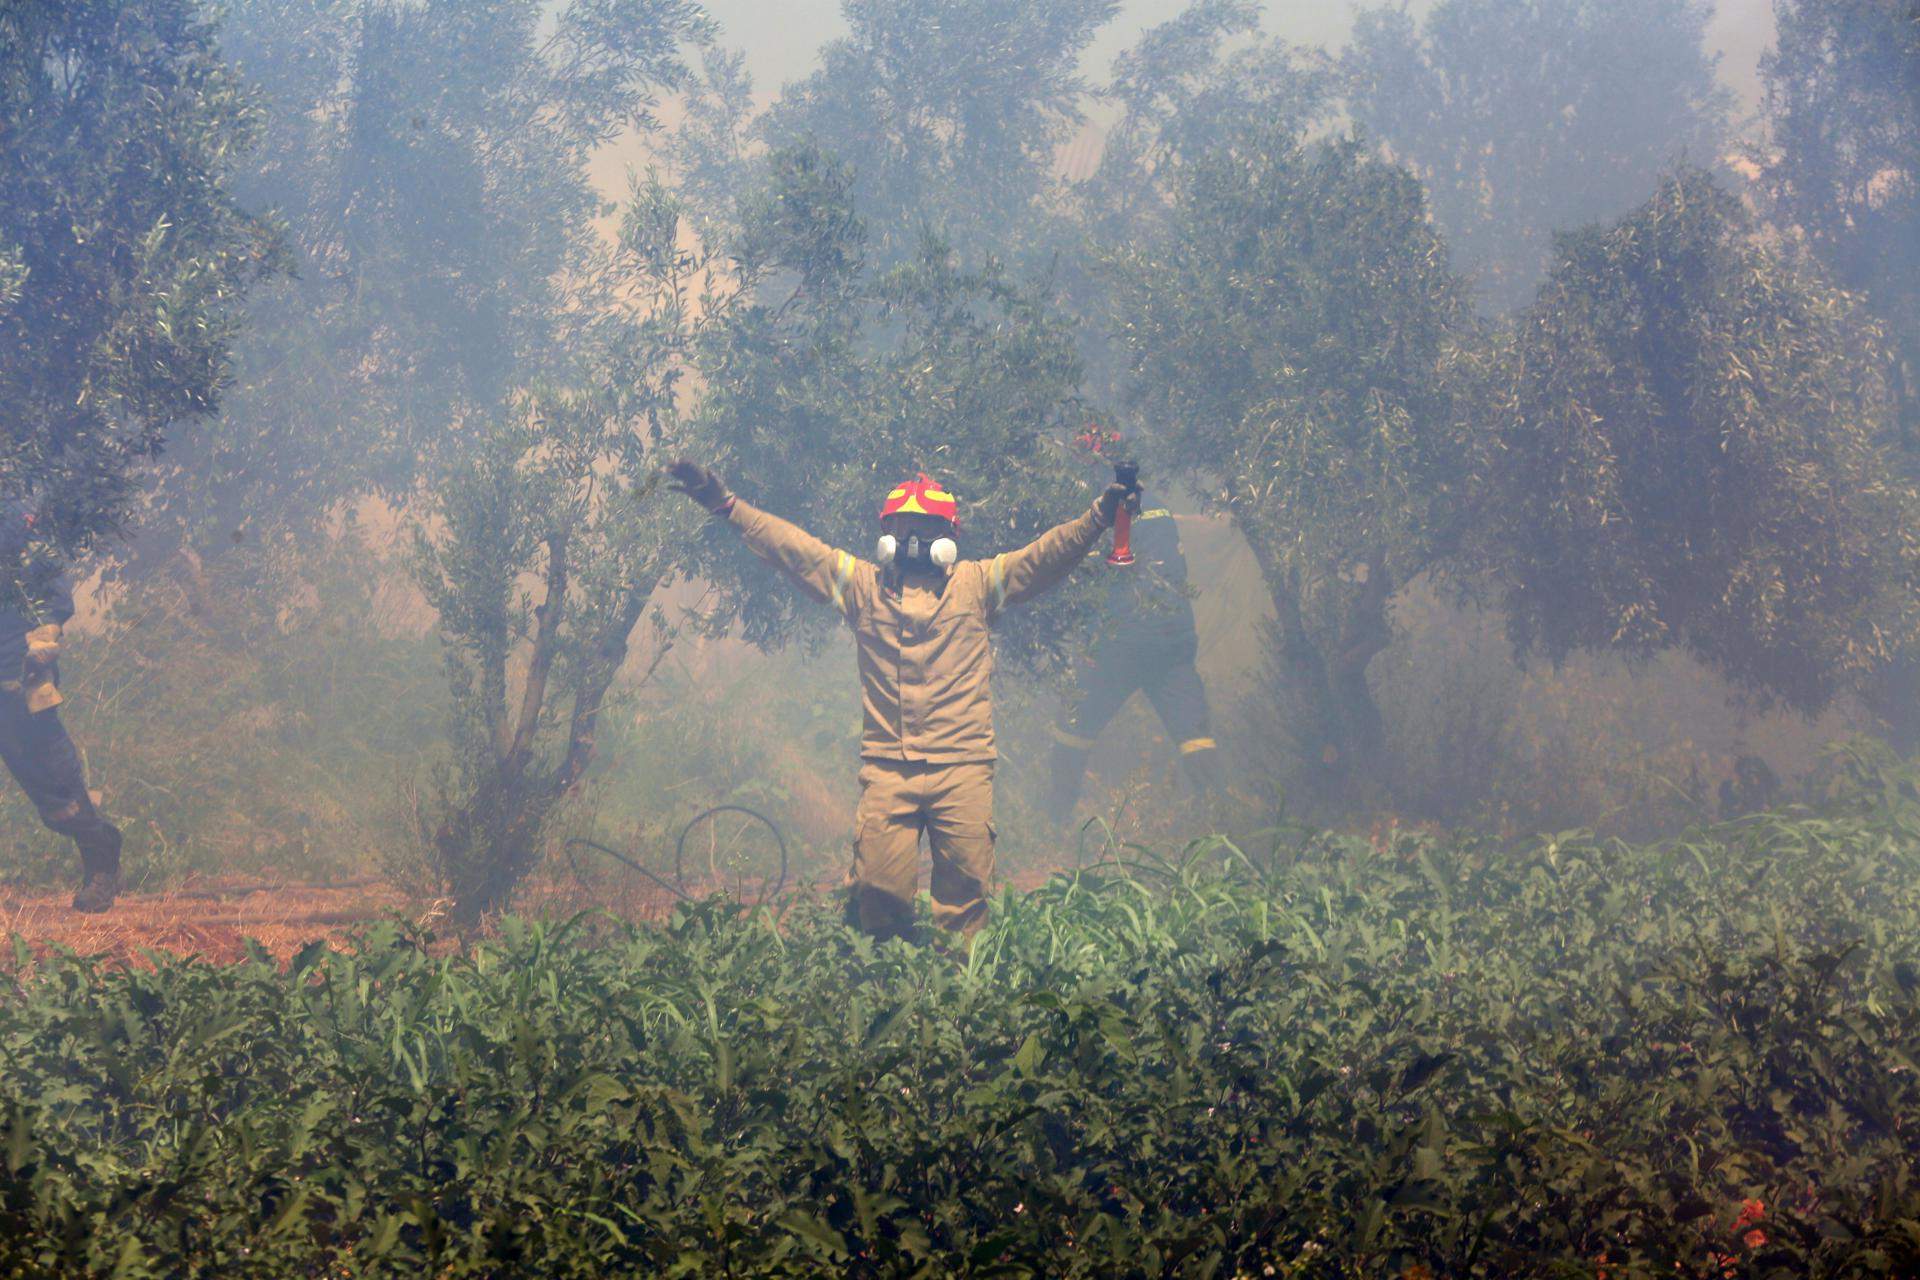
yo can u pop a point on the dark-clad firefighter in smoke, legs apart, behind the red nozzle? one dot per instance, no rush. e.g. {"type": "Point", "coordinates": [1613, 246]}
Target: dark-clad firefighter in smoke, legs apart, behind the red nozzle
{"type": "Point", "coordinates": [1149, 646]}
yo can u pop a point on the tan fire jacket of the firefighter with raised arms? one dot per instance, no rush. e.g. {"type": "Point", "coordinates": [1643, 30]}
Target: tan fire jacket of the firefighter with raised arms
{"type": "Point", "coordinates": [923, 644]}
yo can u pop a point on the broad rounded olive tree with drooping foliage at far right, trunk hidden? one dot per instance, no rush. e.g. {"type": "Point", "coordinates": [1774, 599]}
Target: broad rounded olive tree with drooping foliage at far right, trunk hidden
{"type": "Point", "coordinates": [1694, 458]}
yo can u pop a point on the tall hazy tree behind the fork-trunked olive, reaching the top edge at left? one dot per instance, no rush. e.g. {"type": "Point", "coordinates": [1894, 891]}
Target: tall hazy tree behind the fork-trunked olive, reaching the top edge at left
{"type": "Point", "coordinates": [431, 162]}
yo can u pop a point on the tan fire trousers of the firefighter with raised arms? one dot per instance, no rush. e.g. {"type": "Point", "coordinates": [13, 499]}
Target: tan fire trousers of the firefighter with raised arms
{"type": "Point", "coordinates": [953, 805]}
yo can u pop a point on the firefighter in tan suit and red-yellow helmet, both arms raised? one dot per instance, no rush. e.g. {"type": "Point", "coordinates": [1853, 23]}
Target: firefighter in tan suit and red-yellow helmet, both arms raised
{"type": "Point", "coordinates": [921, 619]}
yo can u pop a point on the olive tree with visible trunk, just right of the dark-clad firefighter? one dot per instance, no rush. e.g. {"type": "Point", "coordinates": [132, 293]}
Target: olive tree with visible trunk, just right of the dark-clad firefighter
{"type": "Point", "coordinates": [1295, 343]}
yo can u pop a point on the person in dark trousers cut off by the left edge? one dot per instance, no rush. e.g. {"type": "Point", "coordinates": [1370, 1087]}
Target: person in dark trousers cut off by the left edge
{"type": "Point", "coordinates": [34, 742]}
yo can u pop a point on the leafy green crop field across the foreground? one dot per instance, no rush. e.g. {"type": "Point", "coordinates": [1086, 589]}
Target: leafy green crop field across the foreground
{"type": "Point", "coordinates": [1324, 1058]}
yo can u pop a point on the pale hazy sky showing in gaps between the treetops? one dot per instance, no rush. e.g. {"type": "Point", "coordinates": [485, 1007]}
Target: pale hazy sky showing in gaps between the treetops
{"type": "Point", "coordinates": [780, 37]}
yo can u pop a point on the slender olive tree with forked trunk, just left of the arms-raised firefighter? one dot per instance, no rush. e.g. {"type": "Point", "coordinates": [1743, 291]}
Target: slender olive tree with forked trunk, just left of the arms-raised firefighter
{"type": "Point", "coordinates": [544, 550]}
